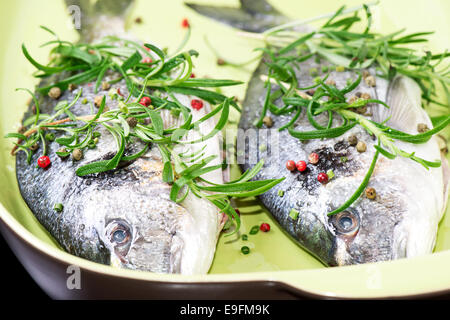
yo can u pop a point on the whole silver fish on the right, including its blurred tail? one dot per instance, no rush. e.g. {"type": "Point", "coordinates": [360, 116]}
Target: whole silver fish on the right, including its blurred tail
{"type": "Point", "coordinates": [401, 221]}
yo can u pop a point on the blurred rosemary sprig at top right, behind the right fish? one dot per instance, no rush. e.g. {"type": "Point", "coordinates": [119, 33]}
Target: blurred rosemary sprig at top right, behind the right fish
{"type": "Point", "coordinates": [336, 42]}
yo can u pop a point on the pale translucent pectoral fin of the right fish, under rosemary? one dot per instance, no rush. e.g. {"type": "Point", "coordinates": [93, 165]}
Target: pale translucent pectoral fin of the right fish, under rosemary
{"type": "Point", "coordinates": [405, 107]}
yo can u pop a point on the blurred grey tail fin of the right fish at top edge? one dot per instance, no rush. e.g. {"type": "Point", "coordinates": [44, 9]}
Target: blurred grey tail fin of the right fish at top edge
{"type": "Point", "coordinates": [253, 15]}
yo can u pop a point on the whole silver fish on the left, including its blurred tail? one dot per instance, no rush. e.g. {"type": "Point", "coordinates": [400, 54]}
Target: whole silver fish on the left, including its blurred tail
{"type": "Point", "coordinates": [124, 217]}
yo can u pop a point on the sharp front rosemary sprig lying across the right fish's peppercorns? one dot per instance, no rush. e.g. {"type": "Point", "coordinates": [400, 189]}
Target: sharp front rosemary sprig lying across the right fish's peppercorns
{"type": "Point", "coordinates": [386, 136]}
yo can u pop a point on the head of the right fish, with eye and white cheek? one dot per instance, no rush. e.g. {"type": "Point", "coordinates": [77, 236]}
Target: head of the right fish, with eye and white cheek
{"type": "Point", "coordinates": [398, 221]}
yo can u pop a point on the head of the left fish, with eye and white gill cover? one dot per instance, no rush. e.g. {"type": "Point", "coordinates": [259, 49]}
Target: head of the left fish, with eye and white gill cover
{"type": "Point", "coordinates": [143, 229]}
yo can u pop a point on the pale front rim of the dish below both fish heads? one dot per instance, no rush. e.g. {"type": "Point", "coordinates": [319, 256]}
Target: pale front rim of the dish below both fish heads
{"type": "Point", "coordinates": [277, 277]}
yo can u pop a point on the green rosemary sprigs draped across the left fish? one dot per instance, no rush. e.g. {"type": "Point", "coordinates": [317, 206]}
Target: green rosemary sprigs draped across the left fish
{"type": "Point", "coordinates": [158, 80]}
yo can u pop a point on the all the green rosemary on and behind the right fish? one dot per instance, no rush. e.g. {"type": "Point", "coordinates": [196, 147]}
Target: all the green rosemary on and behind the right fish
{"type": "Point", "coordinates": [338, 44]}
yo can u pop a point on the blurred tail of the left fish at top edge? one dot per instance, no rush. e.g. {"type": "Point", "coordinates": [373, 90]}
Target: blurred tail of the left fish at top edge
{"type": "Point", "coordinates": [95, 19]}
